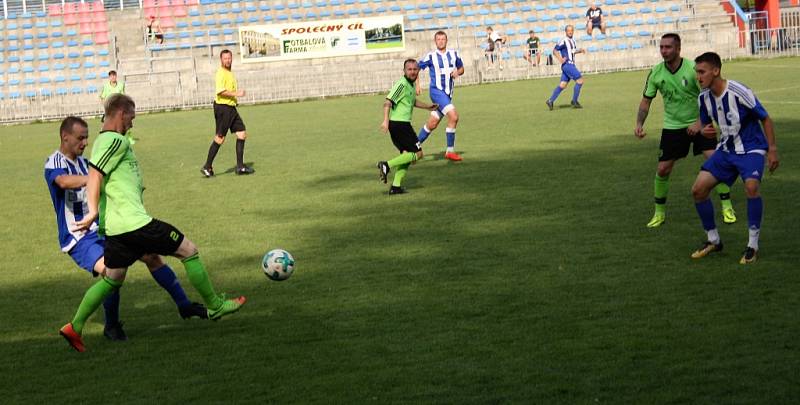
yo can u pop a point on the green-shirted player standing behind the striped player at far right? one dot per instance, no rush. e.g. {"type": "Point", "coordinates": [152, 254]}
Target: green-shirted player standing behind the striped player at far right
{"type": "Point", "coordinates": [676, 81]}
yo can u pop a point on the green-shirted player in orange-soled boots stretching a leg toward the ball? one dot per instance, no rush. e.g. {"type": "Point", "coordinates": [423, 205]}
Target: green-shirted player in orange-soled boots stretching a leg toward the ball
{"type": "Point", "coordinates": [114, 193]}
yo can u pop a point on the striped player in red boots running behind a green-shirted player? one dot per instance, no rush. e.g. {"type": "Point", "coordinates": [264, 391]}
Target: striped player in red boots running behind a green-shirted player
{"type": "Point", "coordinates": [444, 65]}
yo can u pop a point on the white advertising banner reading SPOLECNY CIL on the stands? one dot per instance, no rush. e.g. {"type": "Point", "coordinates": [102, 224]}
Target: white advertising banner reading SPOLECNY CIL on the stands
{"type": "Point", "coordinates": [320, 39]}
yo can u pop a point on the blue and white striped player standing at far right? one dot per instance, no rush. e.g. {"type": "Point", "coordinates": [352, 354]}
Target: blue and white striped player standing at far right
{"type": "Point", "coordinates": [743, 144]}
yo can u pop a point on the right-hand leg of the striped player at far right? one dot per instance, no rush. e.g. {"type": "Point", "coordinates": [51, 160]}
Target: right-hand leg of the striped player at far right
{"type": "Point", "coordinates": [751, 166]}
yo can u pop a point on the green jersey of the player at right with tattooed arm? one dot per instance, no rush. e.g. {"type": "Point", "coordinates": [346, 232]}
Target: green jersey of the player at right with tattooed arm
{"type": "Point", "coordinates": [679, 90]}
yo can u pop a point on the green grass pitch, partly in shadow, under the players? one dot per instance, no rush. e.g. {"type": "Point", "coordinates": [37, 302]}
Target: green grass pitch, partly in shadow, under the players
{"type": "Point", "coordinates": [524, 274]}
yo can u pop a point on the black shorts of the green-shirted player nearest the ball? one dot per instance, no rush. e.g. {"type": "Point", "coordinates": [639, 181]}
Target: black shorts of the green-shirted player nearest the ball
{"type": "Point", "coordinates": [156, 237]}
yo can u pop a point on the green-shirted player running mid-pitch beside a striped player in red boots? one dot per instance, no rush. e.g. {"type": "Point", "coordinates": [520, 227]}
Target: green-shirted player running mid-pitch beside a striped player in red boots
{"type": "Point", "coordinates": [397, 110]}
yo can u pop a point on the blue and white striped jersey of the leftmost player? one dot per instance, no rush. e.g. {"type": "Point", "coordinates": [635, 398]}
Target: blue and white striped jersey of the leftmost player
{"type": "Point", "coordinates": [70, 205]}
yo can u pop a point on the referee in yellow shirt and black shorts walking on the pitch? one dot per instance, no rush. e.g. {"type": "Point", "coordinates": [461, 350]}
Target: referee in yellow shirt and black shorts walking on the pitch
{"type": "Point", "coordinates": [226, 116]}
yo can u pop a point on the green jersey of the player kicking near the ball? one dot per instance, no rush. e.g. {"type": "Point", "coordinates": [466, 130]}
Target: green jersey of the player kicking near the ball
{"type": "Point", "coordinates": [121, 206]}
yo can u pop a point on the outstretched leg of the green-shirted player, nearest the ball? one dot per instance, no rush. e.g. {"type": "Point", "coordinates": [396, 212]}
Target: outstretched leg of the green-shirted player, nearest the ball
{"type": "Point", "coordinates": [167, 239]}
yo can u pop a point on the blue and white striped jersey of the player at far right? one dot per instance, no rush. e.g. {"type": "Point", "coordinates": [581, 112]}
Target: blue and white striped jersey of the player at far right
{"type": "Point", "coordinates": [738, 113]}
